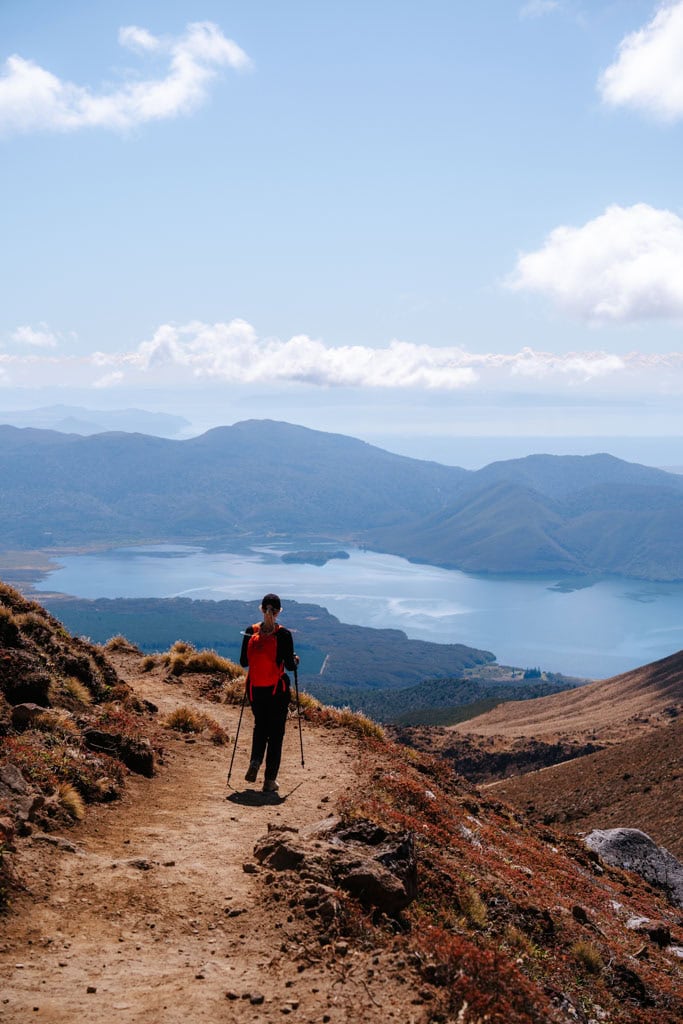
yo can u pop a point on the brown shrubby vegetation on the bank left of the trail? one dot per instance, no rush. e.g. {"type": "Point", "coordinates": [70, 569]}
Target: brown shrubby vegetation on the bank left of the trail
{"type": "Point", "coordinates": [70, 727]}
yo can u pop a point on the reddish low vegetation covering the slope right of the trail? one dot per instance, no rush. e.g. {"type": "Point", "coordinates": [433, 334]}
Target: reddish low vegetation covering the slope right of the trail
{"type": "Point", "coordinates": [514, 924]}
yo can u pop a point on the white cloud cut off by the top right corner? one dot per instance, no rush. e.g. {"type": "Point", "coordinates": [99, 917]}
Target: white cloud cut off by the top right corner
{"type": "Point", "coordinates": [649, 71]}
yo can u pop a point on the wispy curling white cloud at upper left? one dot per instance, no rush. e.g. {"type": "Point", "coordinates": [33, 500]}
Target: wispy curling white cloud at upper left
{"type": "Point", "coordinates": [34, 100]}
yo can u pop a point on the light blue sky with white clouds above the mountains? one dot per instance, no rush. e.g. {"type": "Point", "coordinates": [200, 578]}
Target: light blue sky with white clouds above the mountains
{"type": "Point", "coordinates": [390, 219]}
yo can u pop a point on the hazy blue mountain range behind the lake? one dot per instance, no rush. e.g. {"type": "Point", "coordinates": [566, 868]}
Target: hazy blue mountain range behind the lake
{"type": "Point", "coordinates": [543, 515]}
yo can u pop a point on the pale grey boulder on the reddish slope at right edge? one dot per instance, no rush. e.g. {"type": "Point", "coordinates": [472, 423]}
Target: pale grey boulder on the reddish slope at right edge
{"type": "Point", "coordinates": [635, 851]}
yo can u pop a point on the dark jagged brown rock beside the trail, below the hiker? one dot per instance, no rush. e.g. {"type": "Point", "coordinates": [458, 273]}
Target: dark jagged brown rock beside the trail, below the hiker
{"type": "Point", "coordinates": [376, 867]}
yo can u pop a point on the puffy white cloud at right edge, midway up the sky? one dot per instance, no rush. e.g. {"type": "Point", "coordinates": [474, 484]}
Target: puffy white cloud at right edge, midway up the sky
{"type": "Point", "coordinates": [624, 266]}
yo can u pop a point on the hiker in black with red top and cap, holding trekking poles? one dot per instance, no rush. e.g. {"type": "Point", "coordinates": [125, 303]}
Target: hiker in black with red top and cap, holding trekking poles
{"type": "Point", "coordinates": [268, 650]}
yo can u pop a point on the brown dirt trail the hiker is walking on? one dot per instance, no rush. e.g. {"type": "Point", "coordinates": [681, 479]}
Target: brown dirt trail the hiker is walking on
{"type": "Point", "coordinates": [194, 936]}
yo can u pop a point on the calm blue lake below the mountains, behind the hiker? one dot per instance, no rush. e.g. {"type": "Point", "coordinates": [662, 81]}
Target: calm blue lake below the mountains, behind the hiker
{"type": "Point", "coordinates": [600, 630]}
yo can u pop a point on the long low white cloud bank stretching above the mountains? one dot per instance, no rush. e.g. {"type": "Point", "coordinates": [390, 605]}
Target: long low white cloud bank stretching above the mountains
{"type": "Point", "coordinates": [232, 354]}
